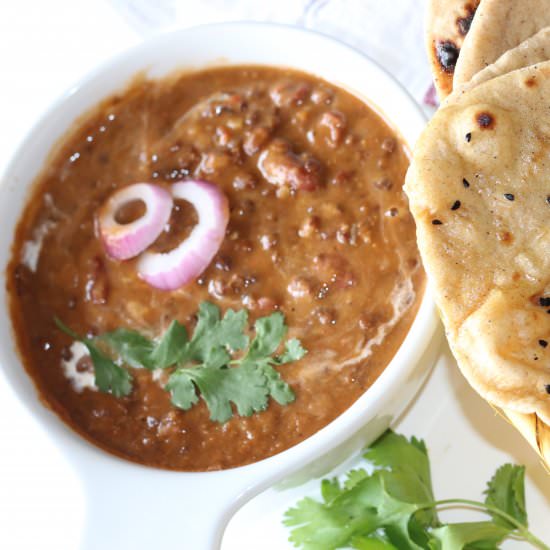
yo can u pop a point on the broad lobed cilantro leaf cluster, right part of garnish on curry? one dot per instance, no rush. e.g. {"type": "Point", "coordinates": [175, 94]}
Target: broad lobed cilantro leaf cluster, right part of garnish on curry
{"type": "Point", "coordinates": [247, 383]}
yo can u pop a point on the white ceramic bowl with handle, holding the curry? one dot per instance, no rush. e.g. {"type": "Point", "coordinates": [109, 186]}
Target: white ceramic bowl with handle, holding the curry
{"type": "Point", "coordinates": [131, 506]}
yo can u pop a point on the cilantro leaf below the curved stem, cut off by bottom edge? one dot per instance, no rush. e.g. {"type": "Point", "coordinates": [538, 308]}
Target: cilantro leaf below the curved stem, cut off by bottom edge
{"type": "Point", "coordinates": [483, 534]}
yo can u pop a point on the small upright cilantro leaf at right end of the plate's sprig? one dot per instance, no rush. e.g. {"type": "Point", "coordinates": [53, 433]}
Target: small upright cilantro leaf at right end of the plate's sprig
{"type": "Point", "coordinates": [506, 491]}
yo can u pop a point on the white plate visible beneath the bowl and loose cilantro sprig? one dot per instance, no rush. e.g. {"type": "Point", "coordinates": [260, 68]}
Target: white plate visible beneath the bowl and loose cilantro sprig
{"type": "Point", "coordinates": [466, 441]}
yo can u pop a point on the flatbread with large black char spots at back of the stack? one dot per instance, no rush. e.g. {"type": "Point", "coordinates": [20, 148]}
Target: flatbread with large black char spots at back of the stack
{"type": "Point", "coordinates": [448, 22]}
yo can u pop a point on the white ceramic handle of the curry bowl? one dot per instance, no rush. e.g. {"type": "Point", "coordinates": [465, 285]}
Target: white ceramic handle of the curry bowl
{"type": "Point", "coordinates": [196, 507]}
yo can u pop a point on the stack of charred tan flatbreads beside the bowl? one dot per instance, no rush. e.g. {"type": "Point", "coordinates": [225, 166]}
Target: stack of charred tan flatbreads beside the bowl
{"type": "Point", "coordinates": [479, 189]}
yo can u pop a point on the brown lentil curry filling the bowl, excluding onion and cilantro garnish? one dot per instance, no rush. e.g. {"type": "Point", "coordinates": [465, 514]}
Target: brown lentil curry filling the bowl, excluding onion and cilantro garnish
{"type": "Point", "coordinates": [319, 229]}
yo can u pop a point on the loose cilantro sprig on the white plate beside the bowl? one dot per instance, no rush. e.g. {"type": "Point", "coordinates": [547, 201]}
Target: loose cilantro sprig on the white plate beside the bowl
{"type": "Point", "coordinates": [389, 505]}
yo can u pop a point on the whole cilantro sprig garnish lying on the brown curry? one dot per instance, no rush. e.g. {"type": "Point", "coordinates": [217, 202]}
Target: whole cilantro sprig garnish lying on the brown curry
{"type": "Point", "coordinates": [219, 363]}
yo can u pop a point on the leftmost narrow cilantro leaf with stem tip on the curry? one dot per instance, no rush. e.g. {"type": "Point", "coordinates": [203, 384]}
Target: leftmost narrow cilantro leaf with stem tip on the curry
{"type": "Point", "coordinates": [109, 377]}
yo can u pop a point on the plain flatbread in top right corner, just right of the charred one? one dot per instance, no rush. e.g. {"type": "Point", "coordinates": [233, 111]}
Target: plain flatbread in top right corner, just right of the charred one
{"type": "Point", "coordinates": [499, 26]}
